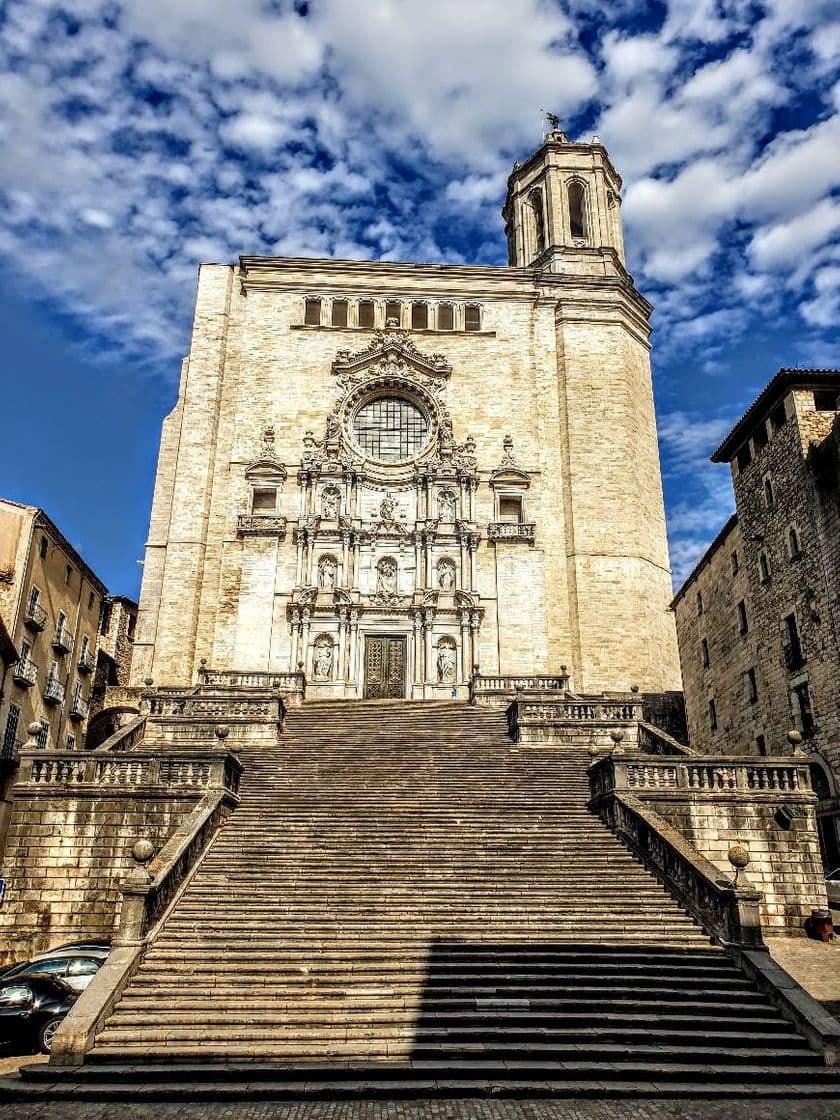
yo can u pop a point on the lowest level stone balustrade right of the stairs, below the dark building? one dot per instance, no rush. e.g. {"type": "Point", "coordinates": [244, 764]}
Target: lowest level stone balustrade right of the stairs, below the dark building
{"type": "Point", "coordinates": [720, 776]}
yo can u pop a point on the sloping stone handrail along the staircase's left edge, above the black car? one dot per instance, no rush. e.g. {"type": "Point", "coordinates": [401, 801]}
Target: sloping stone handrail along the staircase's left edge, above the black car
{"type": "Point", "coordinates": [148, 893]}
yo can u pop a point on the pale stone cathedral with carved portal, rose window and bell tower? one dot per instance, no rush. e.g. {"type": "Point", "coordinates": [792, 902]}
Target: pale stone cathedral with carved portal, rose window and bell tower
{"type": "Point", "coordinates": [393, 478]}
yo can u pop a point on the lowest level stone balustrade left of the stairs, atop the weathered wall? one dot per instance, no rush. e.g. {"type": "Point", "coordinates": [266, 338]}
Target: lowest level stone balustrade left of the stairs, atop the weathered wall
{"type": "Point", "coordinates": [206, 770]}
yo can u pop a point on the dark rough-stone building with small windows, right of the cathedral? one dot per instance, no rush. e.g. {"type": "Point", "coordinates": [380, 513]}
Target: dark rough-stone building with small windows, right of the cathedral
{"type": "Point", "coordinates": [759, 619]}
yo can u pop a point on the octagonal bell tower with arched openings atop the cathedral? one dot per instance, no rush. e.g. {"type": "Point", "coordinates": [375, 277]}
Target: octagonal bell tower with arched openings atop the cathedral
{"type": "Point", "coordinates": [563, 200]}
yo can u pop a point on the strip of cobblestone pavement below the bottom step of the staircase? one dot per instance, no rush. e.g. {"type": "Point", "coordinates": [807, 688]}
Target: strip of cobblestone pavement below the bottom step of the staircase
{"type": "Point", "coordinates": [433, 1110]}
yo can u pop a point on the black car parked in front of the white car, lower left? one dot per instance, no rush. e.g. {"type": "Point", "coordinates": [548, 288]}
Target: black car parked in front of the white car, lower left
{"type": "Point", "coordinates": [32, 1009]}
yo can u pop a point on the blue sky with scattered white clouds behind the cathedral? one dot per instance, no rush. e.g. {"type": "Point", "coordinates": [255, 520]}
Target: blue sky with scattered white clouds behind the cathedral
{"type": "Point", "coordinates": [141, 138]}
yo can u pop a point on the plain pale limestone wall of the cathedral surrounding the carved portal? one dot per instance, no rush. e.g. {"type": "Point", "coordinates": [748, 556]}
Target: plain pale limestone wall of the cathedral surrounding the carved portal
{"type": "Point", "coordinates": [591, 594]}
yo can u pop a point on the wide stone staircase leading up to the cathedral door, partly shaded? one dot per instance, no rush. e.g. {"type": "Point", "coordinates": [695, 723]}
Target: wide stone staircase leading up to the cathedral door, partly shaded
{"type": "Point", "coordinates": [408, 904]}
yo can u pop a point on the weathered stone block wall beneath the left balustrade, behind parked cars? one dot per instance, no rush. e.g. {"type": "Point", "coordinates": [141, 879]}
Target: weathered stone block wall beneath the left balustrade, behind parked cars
{"type": "Point", "coordinates": [66, 857]}
